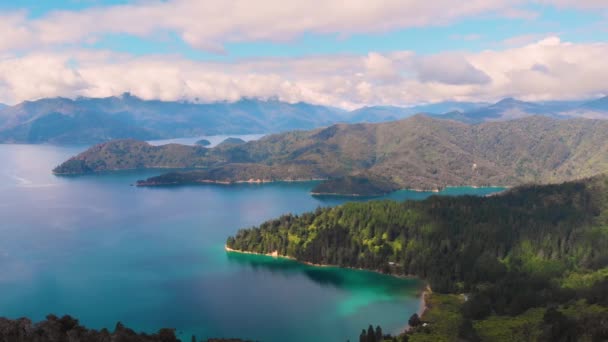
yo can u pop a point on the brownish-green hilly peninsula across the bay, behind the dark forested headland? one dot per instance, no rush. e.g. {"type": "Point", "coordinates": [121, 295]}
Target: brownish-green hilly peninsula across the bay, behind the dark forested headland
{"type": "Point", "coordinates": [419, 152]}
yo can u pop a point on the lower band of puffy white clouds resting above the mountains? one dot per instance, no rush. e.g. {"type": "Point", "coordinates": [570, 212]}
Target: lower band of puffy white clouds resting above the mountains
{"type": "Point", "coordinates": [548, 69]}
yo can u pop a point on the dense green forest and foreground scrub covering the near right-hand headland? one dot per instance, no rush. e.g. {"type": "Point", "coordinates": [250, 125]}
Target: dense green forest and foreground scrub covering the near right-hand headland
{"type": "Point", "coordinates": [542, 248]}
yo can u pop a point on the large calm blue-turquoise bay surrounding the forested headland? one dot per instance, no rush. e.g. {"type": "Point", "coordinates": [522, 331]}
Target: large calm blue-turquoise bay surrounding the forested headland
{"type": "Point", "coordinates": [99, 249]}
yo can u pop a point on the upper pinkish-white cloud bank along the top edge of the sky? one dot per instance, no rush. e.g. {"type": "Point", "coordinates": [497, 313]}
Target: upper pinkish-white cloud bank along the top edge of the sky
{"type": "Point", "coordinates": [208, 25]}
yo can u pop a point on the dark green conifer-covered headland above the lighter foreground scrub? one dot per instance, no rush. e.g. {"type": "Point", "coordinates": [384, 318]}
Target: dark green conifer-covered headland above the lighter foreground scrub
{"type": "Point", "coordinates": [454, 242]}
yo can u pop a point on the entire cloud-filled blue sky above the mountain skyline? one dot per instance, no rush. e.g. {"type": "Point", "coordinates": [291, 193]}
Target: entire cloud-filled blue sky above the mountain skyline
{"type": "Point", "coordinates": [339, 53]}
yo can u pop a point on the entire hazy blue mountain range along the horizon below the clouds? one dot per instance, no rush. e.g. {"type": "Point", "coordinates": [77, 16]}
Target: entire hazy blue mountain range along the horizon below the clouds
{"type": "Point", "coordinates": [94, 120]}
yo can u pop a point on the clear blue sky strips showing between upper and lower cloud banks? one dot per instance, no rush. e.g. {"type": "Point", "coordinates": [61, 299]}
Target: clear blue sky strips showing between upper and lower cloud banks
{"type": "Point", "coordinates": [474, 34]}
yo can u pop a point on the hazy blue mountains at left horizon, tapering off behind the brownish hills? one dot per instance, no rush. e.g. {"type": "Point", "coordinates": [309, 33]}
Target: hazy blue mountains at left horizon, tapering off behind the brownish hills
{"type": "Point", "coordinates": [92, 120]}
